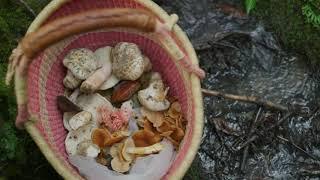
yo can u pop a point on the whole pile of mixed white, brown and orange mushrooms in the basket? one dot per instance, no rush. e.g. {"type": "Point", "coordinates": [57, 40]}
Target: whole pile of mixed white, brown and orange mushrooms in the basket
{"type": "Point", "coordinates": [115, 108]}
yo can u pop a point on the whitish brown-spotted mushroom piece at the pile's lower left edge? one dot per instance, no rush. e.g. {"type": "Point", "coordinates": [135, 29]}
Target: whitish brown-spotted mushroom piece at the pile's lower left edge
{"type": "Point", "coordinates": [76, 137]}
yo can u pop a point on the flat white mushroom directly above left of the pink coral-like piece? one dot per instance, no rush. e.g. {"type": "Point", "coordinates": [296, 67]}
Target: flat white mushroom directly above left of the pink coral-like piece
{"type": "Point", "coordinates": [91, 103]}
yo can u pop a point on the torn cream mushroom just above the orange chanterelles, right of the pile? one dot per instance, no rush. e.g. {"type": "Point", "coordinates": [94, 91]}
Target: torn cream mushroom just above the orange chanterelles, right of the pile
{"type": "Point", "coordinates": [154, 97]}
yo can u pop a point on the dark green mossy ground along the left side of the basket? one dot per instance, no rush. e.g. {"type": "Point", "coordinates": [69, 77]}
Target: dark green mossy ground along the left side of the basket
{"type": "Point", "coordinates": [19, 156]}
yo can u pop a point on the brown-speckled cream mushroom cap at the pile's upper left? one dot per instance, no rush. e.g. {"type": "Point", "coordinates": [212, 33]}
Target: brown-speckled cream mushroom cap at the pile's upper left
{"type": "Point", "coordinates": [81, 62]}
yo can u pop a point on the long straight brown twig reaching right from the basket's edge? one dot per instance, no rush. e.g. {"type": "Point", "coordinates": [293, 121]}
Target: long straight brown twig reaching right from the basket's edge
{"type": "Point", "coordinates": [251, 99]}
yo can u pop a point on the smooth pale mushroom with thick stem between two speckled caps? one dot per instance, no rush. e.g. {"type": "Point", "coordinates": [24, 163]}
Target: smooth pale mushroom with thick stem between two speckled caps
{"type": "Point", "coordinates": [93, 83]}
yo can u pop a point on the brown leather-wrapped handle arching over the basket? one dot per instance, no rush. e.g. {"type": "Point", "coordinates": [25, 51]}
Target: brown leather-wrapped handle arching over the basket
{"type": "Point", "coordinates": [82, 22]}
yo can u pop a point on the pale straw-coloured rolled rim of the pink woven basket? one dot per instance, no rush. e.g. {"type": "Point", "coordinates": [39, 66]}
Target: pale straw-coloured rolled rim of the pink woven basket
{"type": "Point", "coordinates": [195, 88]}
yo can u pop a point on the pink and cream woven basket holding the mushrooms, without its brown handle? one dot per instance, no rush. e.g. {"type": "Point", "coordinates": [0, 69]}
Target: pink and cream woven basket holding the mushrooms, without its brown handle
{"type": "Point", "coordinates": [38, 78]}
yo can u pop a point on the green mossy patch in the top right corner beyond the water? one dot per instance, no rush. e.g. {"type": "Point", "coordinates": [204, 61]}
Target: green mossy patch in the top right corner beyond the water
{"type": "Point", "coordinates": [285, 19]}
